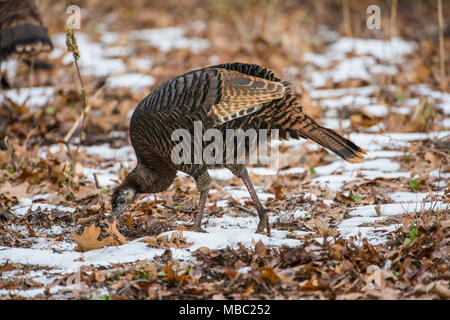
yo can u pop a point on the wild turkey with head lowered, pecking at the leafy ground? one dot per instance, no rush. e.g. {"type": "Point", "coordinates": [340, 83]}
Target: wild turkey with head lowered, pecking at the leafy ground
{"type": "Point", "coordinates": [226, 96]}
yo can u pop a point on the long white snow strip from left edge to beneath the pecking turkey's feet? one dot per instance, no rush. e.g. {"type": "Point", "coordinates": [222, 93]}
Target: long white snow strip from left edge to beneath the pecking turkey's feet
{"type": "Point", "coordinates": [219, 236]}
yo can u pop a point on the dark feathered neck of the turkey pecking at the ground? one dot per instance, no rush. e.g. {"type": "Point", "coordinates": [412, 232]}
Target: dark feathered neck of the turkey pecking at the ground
{"type": "Point", "coordinates": [145, 179]}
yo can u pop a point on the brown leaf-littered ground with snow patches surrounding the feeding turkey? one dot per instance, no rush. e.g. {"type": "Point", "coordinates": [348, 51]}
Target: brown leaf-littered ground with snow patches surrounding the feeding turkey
{"type": "Point", "coordinates": [375, 230]}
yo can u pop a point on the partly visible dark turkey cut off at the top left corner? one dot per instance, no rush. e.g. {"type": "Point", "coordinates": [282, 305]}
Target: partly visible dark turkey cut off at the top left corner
{"type": "Point", "coordinates": [22, 34]}
